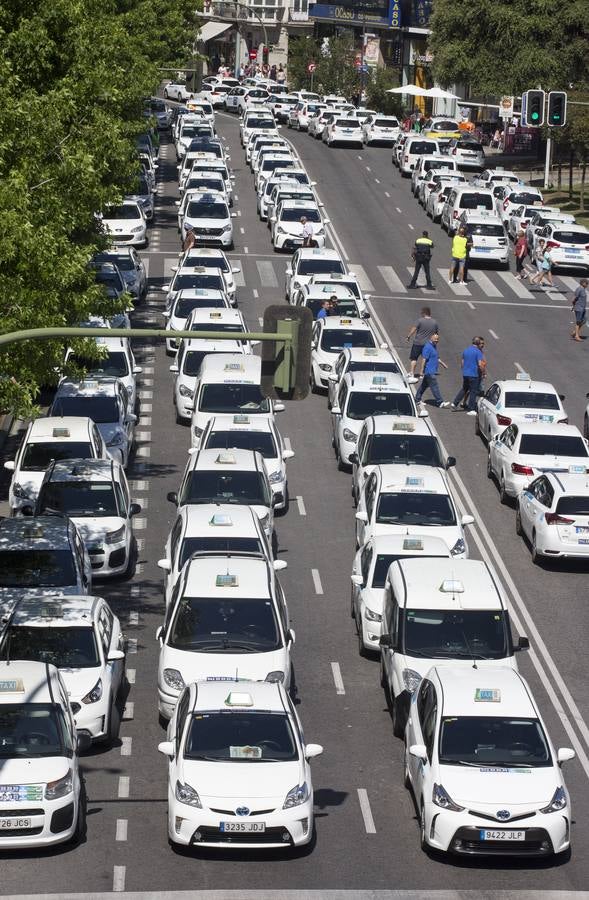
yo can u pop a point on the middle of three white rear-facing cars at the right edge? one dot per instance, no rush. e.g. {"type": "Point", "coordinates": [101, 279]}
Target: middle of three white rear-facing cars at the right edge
{"type": "Point", "coordinates": [522, 452]}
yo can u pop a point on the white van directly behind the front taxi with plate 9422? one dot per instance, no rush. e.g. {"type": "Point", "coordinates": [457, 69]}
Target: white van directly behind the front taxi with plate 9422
{"type": "Point", "coordinates": [450, 610]}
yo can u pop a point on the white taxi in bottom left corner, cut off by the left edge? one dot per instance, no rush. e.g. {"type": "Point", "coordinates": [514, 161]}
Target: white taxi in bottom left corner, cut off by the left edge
{"type": "Point", "coordinates": [42, 796]}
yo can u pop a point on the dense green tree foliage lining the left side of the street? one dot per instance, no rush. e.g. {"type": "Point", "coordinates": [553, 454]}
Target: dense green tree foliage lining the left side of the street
{"type": "Point", "coordinates": [72, 79]}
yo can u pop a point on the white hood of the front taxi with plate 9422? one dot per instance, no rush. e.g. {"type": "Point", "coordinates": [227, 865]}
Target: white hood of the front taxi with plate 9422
{"type": "Point", "coordinates": [490, 789]}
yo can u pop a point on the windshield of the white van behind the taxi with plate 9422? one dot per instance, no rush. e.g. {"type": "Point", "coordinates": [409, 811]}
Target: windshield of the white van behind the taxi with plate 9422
{"type": "Point", "coordinates": [443, 633]}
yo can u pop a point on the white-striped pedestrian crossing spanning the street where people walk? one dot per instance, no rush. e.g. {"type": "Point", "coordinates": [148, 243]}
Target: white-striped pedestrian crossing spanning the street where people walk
{"type": "Point", "coordinates": [266, 275]}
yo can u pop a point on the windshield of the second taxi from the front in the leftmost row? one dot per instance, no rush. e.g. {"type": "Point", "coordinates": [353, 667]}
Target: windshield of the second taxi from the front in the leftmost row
{"type": "Point", "coordinates": [64, 647]}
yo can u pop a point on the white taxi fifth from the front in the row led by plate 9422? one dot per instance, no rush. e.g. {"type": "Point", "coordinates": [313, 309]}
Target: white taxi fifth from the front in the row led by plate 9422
{"type": "Point", "coordinates": [387, 440]}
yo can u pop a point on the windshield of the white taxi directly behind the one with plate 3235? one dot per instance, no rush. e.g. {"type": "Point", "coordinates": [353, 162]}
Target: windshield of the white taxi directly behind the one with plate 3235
{"type": "Point", "coordinates": [224, 625]}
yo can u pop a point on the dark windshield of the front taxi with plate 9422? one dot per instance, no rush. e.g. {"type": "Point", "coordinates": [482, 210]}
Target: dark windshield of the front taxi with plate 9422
{"type": "Point", "coordinates": [493, 741]}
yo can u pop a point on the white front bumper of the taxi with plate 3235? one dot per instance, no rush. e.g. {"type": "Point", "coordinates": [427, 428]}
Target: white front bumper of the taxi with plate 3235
{"type": "Point", "coordinates": [201, 827]}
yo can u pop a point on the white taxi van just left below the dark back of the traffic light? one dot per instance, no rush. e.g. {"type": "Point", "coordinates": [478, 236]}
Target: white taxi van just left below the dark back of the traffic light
{"type": "Point", "coordinates": [229, 384]}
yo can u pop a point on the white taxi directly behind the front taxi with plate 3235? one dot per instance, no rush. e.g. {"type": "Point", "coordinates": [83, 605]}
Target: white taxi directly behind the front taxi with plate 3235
{"type": "Point", "coordinates": [227, 614]}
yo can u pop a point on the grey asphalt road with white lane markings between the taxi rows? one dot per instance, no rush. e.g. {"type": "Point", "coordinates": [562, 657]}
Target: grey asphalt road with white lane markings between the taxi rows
{"type": "Point", "coordinates": [367, 834]}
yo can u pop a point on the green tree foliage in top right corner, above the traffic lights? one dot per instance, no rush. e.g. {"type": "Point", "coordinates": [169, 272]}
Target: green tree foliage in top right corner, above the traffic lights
{"type": "Point", "coordinates": [508, 46]}
